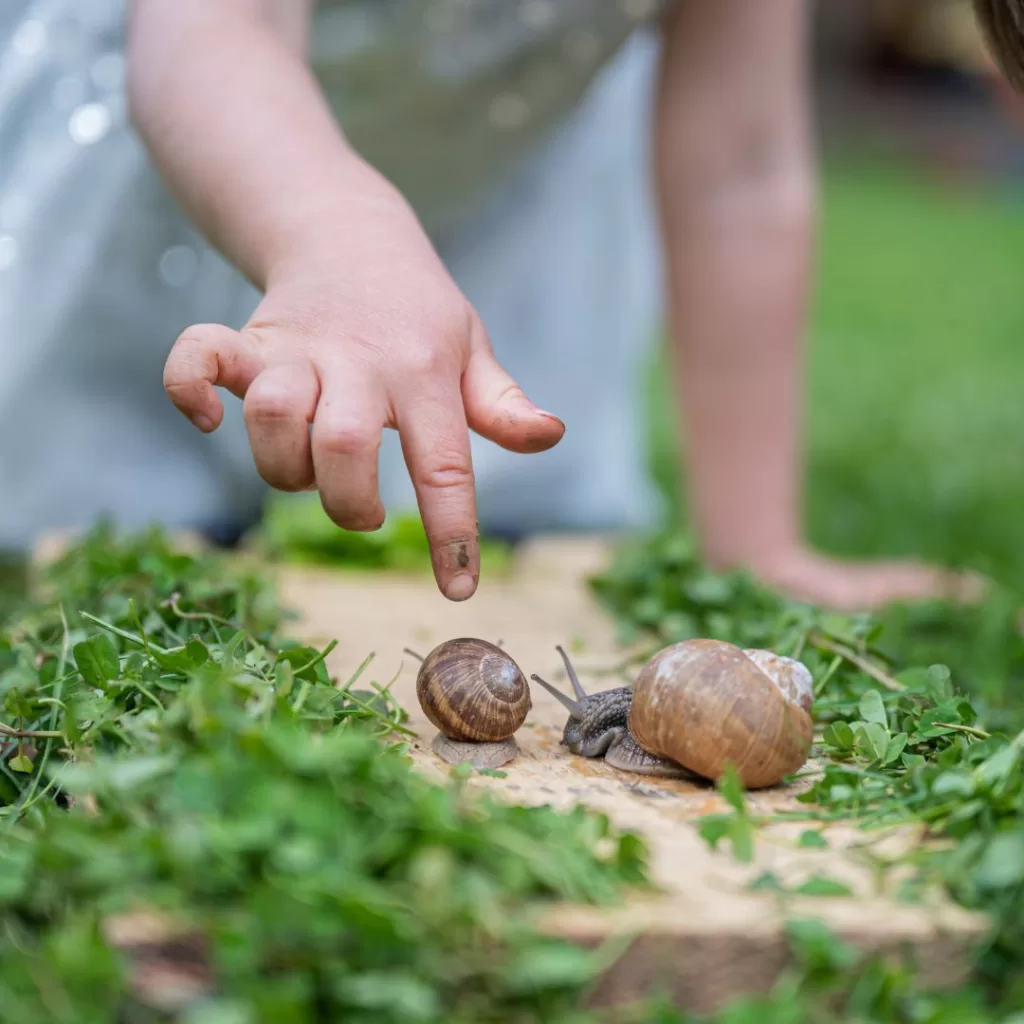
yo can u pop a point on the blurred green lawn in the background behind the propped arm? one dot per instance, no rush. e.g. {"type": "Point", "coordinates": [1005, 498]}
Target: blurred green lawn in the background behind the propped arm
{"type": "Point", "coordinates": [916, 402]}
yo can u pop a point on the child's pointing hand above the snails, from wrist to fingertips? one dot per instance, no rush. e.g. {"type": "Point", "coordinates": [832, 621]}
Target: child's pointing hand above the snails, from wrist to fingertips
{"type": "Point", "coordinates": [358, 332]}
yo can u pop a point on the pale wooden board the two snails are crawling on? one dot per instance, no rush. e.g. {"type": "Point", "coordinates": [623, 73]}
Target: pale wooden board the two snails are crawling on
{"type": "Point", "coordinates": [707, 936]}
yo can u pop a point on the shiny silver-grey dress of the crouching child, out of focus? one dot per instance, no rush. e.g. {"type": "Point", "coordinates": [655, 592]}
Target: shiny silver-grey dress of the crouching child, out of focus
{"type": "Point", "coordinates": [520, 133]}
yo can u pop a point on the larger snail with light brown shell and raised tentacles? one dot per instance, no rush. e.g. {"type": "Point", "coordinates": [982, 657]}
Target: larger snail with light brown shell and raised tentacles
{"type": "Point", "coordinates": [697, 707]}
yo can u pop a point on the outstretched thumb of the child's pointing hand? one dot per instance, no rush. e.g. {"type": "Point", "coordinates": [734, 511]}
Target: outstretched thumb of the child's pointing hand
{"type": "Point", "coordinates": [498, 409]}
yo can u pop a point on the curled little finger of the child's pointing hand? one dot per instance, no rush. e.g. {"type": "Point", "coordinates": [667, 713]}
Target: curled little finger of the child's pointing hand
{"type": "Point", "coordinates": [204, 358]}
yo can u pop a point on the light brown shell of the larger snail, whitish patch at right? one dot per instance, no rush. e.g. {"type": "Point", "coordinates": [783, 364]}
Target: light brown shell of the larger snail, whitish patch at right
{"type": "Point", "coordinates": [705, 704]}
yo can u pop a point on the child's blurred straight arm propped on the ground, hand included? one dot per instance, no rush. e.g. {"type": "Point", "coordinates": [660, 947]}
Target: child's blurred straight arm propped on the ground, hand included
{"type": "Point", "coordinates": [738, 194]}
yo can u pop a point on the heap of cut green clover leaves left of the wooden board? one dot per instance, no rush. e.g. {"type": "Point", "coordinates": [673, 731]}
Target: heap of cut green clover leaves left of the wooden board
{"type": "Point", "coordinates": [168, 757]}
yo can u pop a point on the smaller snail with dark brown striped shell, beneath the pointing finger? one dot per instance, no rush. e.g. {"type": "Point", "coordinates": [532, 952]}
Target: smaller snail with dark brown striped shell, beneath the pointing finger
{"type": "Point", "coordinates": [478, 698]}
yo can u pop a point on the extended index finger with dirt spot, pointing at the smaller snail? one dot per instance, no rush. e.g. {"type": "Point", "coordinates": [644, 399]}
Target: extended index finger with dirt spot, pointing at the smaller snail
{"type": "Point", "coordinates": [436, 444]}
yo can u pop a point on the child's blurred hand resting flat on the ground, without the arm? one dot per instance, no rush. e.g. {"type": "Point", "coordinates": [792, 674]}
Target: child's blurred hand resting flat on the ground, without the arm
{"type": "Point", "coordinates": [805, 576]}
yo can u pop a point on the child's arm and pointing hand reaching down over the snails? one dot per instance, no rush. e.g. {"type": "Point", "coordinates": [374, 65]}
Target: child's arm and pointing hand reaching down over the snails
{"type": "Point", "coordinates": [361, 327]}
